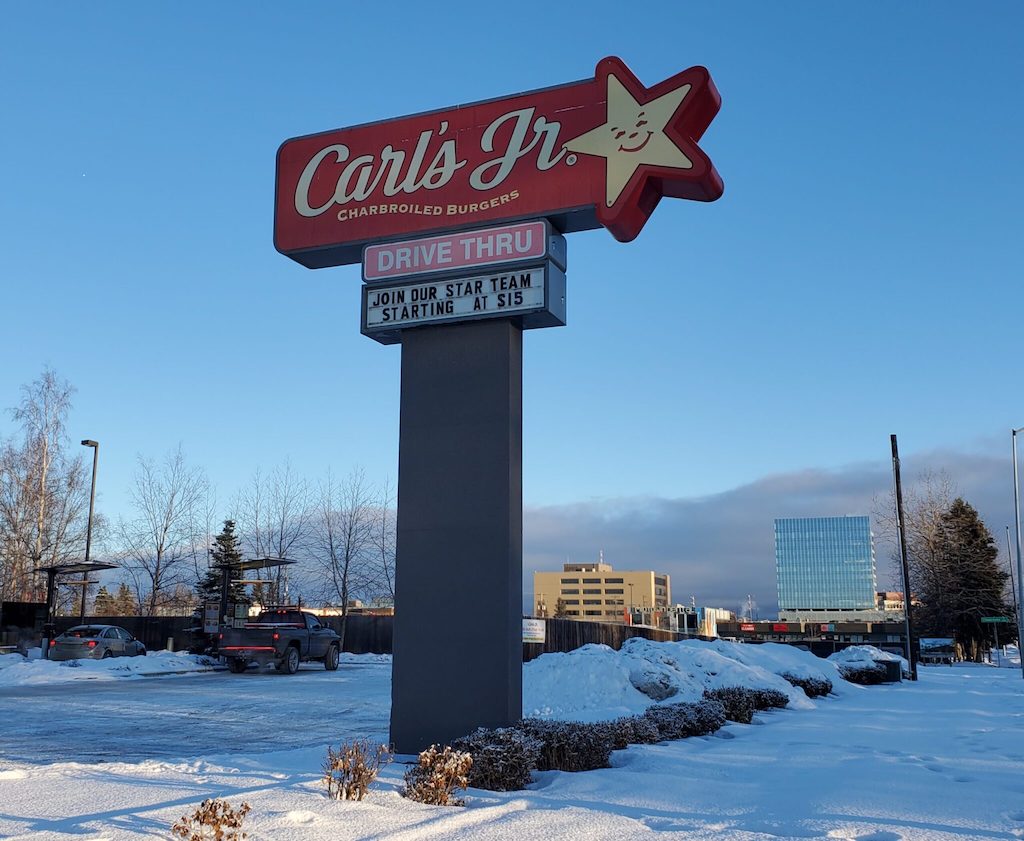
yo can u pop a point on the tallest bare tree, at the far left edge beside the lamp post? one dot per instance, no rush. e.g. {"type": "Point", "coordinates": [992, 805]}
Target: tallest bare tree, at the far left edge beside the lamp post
{"type": "Point", "coordinates": [44, 491]}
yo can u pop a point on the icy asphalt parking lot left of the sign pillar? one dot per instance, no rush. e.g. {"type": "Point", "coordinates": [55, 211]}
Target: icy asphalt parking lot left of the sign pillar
{"type": "Point", "coordinates": [184, 718]}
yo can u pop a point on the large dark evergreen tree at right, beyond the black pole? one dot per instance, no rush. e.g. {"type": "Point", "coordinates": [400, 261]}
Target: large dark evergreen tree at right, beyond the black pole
{"type": "Point", "coordinates": [962, 582]}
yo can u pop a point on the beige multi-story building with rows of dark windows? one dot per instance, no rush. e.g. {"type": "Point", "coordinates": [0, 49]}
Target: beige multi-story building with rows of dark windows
{"type": "Point", "coordinates": [596, 593]}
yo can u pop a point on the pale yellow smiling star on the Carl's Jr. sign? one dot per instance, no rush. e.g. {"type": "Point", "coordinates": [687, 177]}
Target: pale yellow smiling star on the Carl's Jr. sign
{"type": "Point", "coordinates": [633, 136]}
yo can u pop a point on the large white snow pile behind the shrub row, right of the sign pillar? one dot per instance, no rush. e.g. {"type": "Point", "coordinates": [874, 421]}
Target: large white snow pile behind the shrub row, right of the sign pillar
{"type": "Point", "coordinates": [595, 683]}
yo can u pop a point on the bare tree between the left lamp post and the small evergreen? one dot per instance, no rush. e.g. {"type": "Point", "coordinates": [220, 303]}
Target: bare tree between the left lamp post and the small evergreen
{"type": "Point", "coordinates": [158, 546]}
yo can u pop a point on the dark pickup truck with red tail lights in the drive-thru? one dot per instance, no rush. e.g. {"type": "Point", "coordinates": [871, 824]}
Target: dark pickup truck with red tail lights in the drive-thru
{"type": "Point", "coordinates": [284, 637]}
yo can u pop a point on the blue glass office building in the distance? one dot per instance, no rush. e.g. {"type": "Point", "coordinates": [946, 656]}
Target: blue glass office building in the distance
{"type": "Point", "coordinates": [825, 565]}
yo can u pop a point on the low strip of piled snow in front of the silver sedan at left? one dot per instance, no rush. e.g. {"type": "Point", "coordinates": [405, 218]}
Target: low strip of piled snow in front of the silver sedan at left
{"type": "Point", "coordinates": [19, 671]}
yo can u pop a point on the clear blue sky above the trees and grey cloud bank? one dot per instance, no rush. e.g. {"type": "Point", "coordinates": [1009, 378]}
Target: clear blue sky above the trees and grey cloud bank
{"type": "Point", "coordinates": [860, 277]}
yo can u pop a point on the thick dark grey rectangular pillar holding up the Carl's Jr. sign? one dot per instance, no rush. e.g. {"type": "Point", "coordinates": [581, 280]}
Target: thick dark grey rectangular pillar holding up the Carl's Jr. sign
{"type": "Point", "coordinates": [458, 629]}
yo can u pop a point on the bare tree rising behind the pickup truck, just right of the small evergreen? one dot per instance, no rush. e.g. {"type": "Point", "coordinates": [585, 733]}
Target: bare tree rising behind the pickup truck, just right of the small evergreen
{"type": "Point", "coordinates": [274, 518]}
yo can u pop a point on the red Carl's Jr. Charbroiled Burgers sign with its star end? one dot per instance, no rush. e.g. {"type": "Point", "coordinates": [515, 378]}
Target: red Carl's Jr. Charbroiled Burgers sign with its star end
{"type": "Point", "coordinates": [600, 152]}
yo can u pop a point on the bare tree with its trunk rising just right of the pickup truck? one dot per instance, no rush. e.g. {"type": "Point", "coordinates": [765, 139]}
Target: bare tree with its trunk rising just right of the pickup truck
{"type": "Point", "coordinates": [345, 539]}
